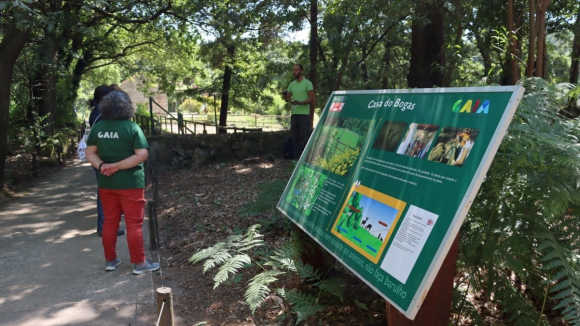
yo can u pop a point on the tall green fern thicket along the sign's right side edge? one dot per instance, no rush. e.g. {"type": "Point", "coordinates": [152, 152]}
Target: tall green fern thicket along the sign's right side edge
{"type": "Point", "coordinates": [528, 207]}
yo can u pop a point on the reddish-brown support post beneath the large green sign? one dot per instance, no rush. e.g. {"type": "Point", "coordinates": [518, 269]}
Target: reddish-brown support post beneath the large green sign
{"type": "Point", "coordinates": [436, 309]}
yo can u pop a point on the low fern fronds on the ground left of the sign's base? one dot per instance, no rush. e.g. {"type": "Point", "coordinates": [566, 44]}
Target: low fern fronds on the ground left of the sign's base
{"type": "Point", "coordinates": [234, 254]}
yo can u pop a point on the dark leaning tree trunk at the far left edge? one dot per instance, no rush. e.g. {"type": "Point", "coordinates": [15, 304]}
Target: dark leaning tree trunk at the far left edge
{"type": "Point", "coordinates": [10, 47]}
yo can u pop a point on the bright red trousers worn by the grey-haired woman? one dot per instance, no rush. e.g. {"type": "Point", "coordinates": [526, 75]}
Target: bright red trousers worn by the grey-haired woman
{"type": "Point", "coordinates": [132, 203]}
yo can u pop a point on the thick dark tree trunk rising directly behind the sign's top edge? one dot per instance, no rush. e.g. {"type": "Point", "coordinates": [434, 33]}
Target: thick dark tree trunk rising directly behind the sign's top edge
{"type": "Point", "coordinates": [427, 53]}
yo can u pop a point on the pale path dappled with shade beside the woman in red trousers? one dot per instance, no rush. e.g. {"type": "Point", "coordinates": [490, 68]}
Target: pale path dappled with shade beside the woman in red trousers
{"type": "Point", "coordinates": [52, 263]}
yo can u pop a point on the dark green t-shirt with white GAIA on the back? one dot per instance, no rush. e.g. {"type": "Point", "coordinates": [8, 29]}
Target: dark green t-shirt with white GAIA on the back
{"type": "Point", "coordinates": [116, 140]}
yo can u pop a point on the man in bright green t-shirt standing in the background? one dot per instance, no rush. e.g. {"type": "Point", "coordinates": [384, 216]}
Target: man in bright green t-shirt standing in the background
{"type": "Point", "coordinates": [300, 93]}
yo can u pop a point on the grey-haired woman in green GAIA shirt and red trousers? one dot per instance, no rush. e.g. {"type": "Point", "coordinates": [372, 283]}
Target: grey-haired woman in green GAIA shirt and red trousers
{"type": "Point", "coordinates": [117, 148]}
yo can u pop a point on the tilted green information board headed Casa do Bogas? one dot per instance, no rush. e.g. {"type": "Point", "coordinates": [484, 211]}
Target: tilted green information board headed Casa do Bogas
{"type": "Point", "coordinates": [388, 177]}
